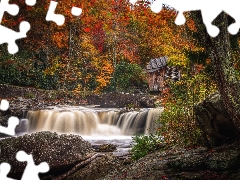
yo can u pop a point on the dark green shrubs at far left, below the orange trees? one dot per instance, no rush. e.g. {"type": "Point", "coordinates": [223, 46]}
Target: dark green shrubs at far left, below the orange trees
{"type": "Point", "coordinates": [23, 70]}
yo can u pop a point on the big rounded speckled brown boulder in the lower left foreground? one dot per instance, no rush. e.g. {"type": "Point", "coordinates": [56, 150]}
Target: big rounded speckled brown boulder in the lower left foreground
{"type": "Point", "coordinates": [61, 152]}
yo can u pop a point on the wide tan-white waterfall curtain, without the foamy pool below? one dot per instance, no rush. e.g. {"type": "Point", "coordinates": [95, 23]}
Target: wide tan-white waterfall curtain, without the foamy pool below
{"type": "Point", "coordinates": [90, 121]}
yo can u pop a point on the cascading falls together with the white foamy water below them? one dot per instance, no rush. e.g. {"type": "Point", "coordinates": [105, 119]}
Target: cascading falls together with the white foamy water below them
{"type": "Point", "coordinates": [96, 125]}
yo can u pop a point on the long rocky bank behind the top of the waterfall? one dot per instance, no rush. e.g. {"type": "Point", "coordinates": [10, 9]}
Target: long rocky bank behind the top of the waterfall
{"type": "Point", "coordinates": [32, 98]}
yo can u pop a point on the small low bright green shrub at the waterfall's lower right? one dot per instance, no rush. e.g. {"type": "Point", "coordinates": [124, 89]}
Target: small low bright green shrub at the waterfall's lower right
{"type": "Point", "coordinates": [145, 145]}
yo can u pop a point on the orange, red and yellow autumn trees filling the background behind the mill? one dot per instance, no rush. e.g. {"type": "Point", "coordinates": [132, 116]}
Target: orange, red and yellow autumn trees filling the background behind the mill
{"type": "Point", "coordinates": [87, 52]}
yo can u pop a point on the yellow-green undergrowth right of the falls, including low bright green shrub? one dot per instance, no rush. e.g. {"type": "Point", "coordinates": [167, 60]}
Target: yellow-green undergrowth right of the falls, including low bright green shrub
{"type": "Point", "coordinates": [178, 121]}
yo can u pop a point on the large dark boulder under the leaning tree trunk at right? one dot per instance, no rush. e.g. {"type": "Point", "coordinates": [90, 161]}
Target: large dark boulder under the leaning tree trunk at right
{"type": "Point", "coordinates": [215, 122]}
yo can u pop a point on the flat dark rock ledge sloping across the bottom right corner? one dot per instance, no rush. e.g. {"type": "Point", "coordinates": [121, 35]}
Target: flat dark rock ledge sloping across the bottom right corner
{"type": "Point", "coordinates": [221, 163]}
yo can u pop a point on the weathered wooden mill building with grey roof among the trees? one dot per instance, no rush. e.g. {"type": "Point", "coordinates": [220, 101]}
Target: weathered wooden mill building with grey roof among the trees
{"type": "Point", "coordinates": [158, 71]}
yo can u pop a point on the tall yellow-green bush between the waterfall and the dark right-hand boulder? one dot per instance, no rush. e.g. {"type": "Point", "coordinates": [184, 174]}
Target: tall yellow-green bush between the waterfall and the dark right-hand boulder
{"type": "Point", "coordinates": [178, 119]}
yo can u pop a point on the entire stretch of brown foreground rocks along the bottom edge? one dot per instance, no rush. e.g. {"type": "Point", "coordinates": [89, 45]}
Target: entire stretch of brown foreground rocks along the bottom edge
{"type": "Point", "coordinates": [71, 157]}
